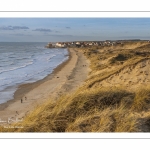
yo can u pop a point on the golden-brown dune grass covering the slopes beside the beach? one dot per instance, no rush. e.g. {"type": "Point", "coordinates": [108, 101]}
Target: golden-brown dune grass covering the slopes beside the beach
{"type": "Point", "coordinates": [93, 108]}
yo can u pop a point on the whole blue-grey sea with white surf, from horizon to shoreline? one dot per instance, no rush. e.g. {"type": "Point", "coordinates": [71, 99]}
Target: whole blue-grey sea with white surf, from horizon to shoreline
{"type": "Point", "coordinates": [26, 63]}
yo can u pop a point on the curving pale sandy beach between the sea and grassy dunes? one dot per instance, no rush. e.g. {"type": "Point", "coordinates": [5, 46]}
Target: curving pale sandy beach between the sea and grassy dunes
{"type": "Point", "coordinates": [65, 79]}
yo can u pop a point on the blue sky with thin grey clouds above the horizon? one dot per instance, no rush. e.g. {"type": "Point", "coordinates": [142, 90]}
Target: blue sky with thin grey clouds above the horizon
{"type": "Point", "coordinates": [73, 29]}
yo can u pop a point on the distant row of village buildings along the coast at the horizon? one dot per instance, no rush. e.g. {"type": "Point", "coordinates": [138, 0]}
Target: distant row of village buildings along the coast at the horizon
{"type": "Point", "coordinates": [82, 44]}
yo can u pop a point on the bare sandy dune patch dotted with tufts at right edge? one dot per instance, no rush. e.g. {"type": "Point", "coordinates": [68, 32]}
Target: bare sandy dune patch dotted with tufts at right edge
{"type": "Point", "coordinates": [132, 77]}
